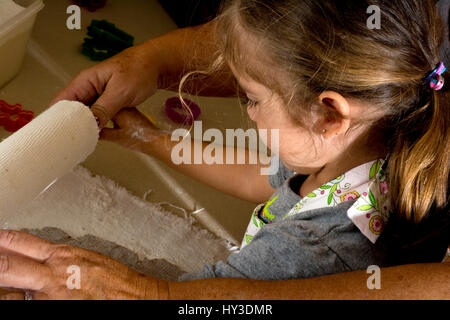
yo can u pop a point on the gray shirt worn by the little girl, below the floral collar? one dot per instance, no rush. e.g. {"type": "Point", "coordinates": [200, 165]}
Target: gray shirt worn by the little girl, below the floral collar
{"type": "Point", "coordinates": [310, 244]}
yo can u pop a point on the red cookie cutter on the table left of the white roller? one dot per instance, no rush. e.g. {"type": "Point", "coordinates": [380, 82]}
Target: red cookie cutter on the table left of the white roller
{"type": "Point", "coordinates": [13, 117]}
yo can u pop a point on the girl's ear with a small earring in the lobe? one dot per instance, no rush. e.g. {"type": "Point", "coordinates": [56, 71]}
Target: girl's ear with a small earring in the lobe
{"type": "Point", "coordinates": [334, 114]}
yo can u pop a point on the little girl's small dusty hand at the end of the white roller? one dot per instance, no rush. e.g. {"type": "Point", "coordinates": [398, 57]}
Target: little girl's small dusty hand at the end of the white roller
{"type": "Point", "coordinates": [132, 130]}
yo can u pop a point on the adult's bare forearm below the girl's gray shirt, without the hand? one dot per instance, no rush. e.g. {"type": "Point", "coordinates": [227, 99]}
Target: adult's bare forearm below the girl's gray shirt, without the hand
{"type": "Point", "coordinates": [415, 281]}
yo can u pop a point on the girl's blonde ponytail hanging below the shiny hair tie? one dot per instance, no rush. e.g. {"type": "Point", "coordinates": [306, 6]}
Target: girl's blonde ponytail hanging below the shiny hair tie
{"type": "Point", "coordinates": [418, 167]}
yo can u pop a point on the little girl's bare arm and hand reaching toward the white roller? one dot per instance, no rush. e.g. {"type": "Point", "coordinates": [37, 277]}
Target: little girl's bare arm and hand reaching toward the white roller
{"type": "Point", "coordinates": [243, 181]}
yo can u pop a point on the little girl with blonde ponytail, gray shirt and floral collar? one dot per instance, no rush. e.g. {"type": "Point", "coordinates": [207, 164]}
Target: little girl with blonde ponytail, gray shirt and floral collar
{"type": "Point", "coordinates": [363, 120]}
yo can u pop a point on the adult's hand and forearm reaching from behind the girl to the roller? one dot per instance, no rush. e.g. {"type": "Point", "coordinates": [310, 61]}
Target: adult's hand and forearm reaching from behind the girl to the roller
{"type": "Point", "coordinates": [129, 78]}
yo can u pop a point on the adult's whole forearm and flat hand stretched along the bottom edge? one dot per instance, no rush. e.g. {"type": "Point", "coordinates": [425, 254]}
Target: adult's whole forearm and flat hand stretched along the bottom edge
{"type": "Point", "coordinates": [30, 263]}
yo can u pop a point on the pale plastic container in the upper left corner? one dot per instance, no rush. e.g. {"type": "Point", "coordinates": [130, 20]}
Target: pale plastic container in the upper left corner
{"type": "Point", "coordinates": [14, 36]}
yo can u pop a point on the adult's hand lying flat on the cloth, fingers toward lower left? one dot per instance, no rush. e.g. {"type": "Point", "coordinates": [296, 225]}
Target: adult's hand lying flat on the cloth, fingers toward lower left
{"type": "Point", "coordinates": [28, 263]}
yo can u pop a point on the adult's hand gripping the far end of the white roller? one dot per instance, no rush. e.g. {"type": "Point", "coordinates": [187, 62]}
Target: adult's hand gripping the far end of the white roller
{"type": "Point", "coordinates": [123, 81]}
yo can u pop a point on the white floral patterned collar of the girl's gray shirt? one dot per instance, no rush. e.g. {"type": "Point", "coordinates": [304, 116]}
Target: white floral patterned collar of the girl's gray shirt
{"type": "Point", "coordinates": [367, 185]}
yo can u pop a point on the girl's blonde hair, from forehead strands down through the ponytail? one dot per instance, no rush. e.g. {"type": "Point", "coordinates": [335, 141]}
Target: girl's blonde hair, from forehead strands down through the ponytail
{"type": "Point", "coordinates": [300, 48]}
